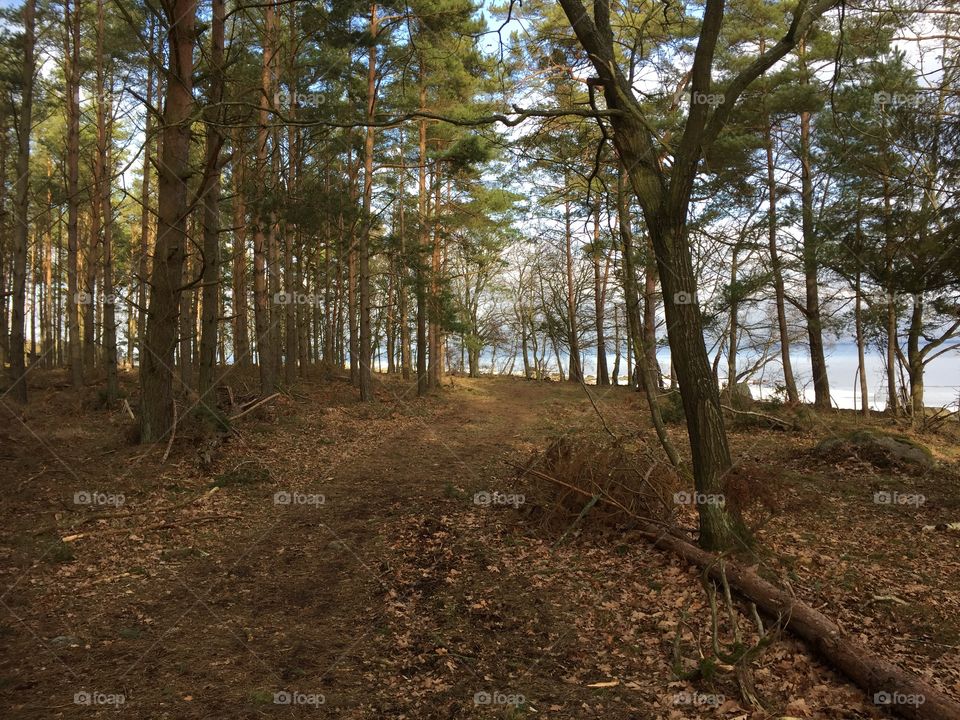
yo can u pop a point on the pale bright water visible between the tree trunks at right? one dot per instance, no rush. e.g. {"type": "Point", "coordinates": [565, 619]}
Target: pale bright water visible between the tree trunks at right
{"type": "Point", "coordinates": [941, 379]}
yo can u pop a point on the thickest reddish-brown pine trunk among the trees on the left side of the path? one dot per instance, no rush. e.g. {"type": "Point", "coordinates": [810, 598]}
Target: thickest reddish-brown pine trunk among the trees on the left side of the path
{"type": "Point", "coordinates": [156, 375]}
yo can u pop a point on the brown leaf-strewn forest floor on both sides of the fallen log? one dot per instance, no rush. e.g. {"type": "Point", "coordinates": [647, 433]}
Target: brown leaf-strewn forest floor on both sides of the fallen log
{"type": "Point", "coordinates": [143, 587]}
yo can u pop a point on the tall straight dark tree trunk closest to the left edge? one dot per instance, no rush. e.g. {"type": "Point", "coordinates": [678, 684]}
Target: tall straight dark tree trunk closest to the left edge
{"type": "Point", "coordinates": [22, 209]}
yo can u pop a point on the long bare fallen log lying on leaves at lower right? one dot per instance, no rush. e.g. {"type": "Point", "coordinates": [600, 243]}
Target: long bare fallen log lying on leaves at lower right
{"type": "Point", "coordinates": [885, 683]}
